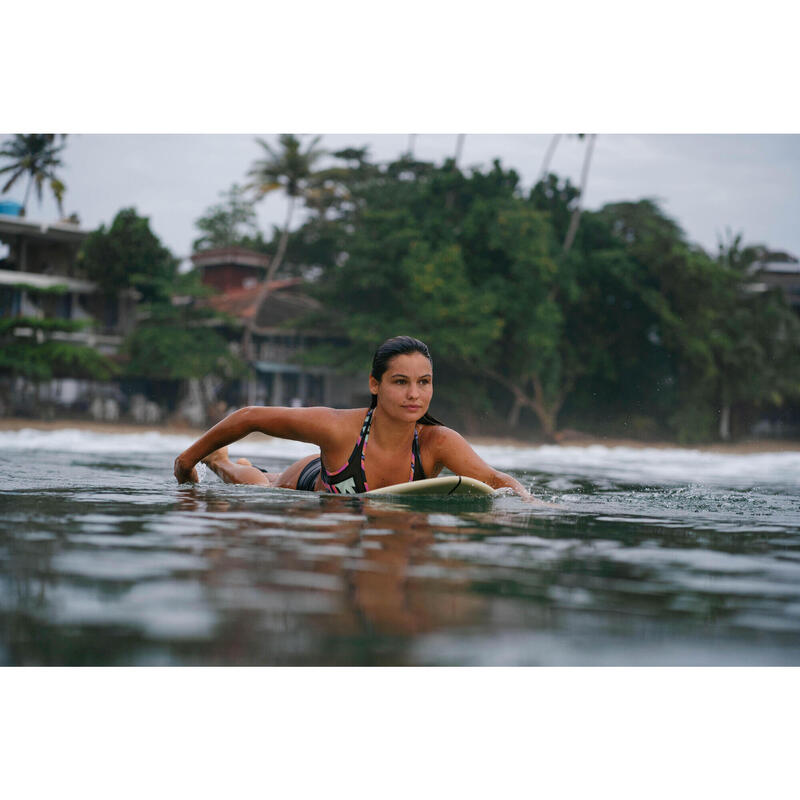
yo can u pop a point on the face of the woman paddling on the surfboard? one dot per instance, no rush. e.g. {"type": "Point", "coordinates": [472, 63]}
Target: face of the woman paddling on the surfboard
{"type": "Point", "coordinates": [406, 388]}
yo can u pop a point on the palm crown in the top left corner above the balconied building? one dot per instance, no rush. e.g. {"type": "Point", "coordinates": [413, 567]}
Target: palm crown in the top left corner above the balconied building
{"type": "Point", "coordinates": [37, 155]}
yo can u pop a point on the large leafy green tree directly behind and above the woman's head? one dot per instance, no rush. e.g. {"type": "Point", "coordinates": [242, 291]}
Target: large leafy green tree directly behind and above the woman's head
{"type": "Point", "coordinates": [463, 260]}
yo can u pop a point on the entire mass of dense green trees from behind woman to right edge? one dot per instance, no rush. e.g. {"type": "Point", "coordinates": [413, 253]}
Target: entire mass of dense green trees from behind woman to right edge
{"type": "Point", "coordinates": [633, 321]}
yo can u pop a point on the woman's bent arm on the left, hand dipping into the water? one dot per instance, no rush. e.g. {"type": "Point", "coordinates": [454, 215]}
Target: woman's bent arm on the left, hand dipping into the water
{"type": "Point", "coordinates": [314, 425]}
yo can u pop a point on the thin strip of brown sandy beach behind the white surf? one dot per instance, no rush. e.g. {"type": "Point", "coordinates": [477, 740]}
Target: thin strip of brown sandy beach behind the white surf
{"type": "Point", "coordinates": [743, 447]}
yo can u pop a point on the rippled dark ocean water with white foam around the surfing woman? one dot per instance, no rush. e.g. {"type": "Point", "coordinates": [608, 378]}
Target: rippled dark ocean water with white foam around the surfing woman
{"type": "Point", "coordinates": [647, 557]}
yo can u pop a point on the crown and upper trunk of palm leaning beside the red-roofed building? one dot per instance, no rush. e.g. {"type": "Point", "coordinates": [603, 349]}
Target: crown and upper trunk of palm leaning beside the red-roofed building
{"type": "Point", "coordinates": [288, 168]}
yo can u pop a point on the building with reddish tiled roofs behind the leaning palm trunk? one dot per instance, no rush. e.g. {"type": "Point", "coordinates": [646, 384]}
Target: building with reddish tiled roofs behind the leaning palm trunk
{"type": "Point", "coordinates": [269, 329]}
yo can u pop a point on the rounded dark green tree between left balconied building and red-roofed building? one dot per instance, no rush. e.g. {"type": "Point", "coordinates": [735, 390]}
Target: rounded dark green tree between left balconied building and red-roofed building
{"type": "Point", "coordinates": [129, 255]}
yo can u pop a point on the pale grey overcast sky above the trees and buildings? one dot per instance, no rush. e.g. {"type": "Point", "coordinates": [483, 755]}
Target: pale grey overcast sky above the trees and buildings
{"type": "Point", "coordinates": [707, 183]}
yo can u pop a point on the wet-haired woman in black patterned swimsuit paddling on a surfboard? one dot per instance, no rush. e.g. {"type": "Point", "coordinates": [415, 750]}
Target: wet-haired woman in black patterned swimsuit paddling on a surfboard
{"type": "Point", "coordinates": [396, 440]}
